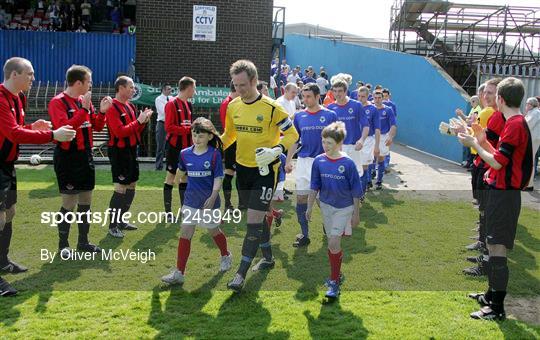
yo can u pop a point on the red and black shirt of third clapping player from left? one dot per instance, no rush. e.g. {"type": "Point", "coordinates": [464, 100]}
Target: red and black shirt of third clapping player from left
{"type": "Point", "coordinates": [124, 128]}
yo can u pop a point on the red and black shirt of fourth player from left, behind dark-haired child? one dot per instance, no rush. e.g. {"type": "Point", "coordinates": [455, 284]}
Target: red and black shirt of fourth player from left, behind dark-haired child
{"type": "Point", "coordinates": [178, 123]}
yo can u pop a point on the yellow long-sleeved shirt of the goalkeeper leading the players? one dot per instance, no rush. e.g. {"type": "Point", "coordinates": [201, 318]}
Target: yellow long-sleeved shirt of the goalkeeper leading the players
{"type": "Point", "coordinates": [255, 125]}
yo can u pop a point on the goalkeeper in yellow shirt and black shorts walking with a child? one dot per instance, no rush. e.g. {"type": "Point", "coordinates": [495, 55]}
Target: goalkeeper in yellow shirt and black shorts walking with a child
{"type": "Point", "coordinates": [255, 122]}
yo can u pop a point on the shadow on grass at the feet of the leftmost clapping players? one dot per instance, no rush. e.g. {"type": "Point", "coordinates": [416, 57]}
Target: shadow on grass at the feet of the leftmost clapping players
{"type": "Point", "coordinates": [43, 284]}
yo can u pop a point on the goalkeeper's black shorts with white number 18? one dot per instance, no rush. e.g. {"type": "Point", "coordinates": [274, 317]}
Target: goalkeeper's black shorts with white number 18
{"type": "Point", "coordinates": [256, 189]}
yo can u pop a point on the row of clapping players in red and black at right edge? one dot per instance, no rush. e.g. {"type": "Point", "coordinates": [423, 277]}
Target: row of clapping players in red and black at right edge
{"type": "Point", "coordinates": [503, 166]}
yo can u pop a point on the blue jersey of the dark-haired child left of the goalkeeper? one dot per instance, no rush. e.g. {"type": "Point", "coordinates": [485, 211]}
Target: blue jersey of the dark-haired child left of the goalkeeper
{"type": "Point", "coordinates": [201, 171]}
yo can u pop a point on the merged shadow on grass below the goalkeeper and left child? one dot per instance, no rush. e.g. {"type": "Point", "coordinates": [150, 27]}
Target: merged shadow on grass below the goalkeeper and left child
{"type": "Point", "coordinates": [240, 315]}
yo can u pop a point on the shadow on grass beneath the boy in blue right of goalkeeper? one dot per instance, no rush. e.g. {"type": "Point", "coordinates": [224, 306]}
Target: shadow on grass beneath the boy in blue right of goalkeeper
{"type": "Point", "coordinates": [333, 320]}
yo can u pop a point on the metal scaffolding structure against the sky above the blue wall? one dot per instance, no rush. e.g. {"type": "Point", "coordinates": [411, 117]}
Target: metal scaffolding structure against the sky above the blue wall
{"type": "Point", "coordinates": [461, 37]}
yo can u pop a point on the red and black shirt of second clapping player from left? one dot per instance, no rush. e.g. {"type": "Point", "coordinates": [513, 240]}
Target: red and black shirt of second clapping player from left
{"type": "Point", "coordinates": [65, 110]}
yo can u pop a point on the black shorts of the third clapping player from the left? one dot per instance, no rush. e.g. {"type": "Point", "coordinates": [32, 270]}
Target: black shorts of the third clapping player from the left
{"type": "Point", "coordinates": [124, 164]}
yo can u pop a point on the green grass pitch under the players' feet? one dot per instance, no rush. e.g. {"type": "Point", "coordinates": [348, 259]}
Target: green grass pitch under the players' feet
{"type": "Point", "coordinates": [402, 265]}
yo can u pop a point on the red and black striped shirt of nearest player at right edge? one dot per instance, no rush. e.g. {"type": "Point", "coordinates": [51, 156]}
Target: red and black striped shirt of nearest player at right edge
{"type": "Point", "coordinates": [514, 153]}
